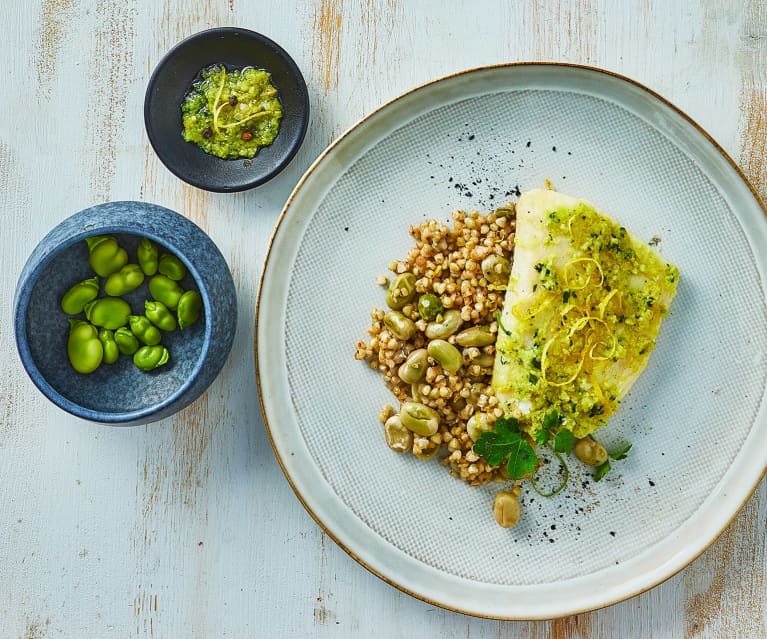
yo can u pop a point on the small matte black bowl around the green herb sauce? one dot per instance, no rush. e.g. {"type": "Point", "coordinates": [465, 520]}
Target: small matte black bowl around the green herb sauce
{"type": "Point", "coordinates": [170, 82]}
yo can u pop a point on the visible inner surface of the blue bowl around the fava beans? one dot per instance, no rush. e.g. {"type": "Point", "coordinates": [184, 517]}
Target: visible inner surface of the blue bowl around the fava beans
{"type": "Point", "coordinates": [116, 388]}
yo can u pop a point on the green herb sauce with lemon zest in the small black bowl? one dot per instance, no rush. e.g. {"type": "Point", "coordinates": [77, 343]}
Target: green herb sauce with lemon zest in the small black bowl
{"type": "Point", "coordinates": [231, 113]}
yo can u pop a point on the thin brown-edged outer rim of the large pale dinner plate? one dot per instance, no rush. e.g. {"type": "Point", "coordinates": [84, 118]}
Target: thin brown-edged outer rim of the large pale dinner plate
{"type": "Point", "coordinates": [637, 590]}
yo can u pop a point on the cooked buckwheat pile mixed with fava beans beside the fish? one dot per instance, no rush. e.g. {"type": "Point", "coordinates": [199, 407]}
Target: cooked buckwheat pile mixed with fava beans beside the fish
{"type": "Point", "coordinates": [434, 341]}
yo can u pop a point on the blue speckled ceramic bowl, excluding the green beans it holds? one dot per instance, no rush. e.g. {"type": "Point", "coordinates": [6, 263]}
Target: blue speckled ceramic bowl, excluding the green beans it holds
{"type": "Point", "coordinates": [120, 394]}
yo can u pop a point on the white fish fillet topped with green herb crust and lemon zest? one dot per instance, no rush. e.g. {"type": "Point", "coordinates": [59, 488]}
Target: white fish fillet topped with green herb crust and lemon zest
{"type": "Point", "coordinates": [582, 310]}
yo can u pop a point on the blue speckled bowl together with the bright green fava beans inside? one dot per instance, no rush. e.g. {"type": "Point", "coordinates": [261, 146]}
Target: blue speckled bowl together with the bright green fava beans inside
{"type": "Point", "coordinates": [124, 313]}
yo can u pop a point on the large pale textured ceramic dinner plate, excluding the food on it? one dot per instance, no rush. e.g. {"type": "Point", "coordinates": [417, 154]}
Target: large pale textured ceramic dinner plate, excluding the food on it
{"type": "Point", "coordinates": [696, 417]}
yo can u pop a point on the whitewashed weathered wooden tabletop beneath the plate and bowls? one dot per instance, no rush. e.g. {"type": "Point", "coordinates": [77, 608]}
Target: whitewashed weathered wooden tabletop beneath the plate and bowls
{"type": "Point", "coordinates": [187, 527]}
